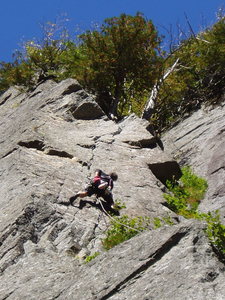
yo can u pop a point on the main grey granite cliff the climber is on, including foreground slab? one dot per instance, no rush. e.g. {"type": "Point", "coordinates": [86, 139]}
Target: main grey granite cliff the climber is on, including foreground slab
{"type": "Point", "coordinates": [51, 141]}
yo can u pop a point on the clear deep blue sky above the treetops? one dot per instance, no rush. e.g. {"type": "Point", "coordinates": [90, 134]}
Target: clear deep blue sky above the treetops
{"type": "Point", "coordinates": [20, 19]}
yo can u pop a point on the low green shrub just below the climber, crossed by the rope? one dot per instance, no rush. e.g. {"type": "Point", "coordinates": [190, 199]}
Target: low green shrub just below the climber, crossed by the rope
{"type": "Point", "coordinates": [123, 228]}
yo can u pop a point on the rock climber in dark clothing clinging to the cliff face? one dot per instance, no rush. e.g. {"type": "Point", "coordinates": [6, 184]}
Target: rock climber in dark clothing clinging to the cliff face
{"type": "Point", "coordinates": [101, 185]}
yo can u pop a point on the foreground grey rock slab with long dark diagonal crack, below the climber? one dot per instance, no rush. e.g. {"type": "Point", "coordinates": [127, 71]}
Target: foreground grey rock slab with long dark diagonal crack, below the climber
{"type": "Point", "coordinates": [169, 263]}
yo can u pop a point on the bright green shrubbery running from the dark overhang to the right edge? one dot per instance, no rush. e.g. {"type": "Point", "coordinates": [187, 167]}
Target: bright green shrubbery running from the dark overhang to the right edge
{"type": "Point", "coordinates": [184, 199]}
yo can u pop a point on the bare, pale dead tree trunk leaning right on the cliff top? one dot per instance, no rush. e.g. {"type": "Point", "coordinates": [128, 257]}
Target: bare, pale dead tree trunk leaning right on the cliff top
{"type": "Point", "coordinates": [150, 105]}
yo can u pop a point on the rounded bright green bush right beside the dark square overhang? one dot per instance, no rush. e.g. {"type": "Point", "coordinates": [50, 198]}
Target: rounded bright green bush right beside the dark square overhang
{"type": "Point", "coordinates": [185, 196]}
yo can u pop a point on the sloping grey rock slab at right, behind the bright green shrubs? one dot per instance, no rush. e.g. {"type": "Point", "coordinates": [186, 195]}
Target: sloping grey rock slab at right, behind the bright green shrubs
{"type": "Point", "coordinates": [199, 141]}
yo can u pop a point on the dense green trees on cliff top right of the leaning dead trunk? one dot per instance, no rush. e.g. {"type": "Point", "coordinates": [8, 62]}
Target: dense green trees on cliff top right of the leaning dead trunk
{"type": "Point", "coordinates": [198, 78]}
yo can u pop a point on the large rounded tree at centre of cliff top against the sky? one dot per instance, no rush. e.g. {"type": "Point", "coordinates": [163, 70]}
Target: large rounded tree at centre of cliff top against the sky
{"type": "Point", "coordinates": [122, 59]}
